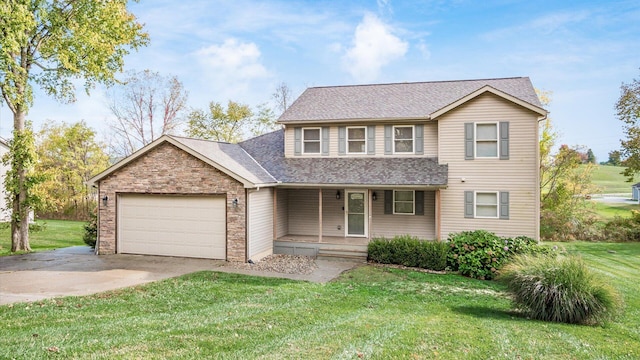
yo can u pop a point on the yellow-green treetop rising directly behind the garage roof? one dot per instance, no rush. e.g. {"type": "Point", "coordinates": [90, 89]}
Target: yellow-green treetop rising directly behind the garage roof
{"type": "Point", "coordinates": [219, 124]}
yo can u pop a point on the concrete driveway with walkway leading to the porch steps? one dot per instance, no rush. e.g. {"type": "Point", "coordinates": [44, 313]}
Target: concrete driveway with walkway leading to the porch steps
{"type": "Point", "coordinates": [77, 271]}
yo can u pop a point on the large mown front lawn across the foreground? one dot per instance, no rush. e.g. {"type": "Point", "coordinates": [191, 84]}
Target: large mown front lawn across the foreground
{"type": "Point", "coordinates": [370, 312]}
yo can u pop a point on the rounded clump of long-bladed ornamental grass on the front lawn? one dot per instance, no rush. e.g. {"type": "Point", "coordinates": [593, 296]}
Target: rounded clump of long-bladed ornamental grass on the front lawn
{"type": "Point", "coordinates": [559, 289]}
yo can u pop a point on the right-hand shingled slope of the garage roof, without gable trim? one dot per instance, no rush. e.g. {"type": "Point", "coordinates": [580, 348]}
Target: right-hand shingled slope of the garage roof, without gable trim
{"type": "Point", "coordinates": [231, 157]}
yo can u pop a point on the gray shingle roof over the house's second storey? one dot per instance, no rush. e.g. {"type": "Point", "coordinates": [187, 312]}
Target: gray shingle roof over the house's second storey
{"type": "Point", "coordinates": [395, 101]}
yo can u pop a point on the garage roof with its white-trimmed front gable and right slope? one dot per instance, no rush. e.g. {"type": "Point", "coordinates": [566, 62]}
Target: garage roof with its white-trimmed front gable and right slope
{"type": "Point", "coordinates": [231, 159]}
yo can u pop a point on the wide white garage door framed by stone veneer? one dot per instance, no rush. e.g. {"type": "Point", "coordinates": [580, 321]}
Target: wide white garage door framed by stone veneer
{"type": "Point", "coordinates": [186, 226]}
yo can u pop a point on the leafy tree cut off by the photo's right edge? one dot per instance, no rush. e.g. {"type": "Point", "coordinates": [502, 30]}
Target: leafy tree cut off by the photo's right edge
{"type": "Point", "coordinates": [628, 111]}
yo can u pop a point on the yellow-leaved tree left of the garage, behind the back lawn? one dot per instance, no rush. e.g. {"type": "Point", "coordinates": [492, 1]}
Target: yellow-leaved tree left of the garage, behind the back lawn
{"type": "Point", "coordinates": [69, 156]}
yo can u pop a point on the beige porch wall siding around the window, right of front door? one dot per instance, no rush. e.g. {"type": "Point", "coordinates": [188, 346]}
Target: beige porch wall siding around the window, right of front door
{"type": "Point", "coordinates": [388, 225]}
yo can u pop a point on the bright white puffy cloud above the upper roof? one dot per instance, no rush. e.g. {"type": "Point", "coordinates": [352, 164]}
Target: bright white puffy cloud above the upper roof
{"type": "Point", "coordinates": [374, 46]}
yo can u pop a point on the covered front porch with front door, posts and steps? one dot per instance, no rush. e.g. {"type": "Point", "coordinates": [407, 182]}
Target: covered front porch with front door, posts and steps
{"type": "Point", "coordinates": [340, 222]}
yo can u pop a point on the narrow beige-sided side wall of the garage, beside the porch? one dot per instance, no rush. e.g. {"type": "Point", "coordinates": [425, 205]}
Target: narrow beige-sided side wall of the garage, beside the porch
{"type": "Point", "coordinates": [260, 223]}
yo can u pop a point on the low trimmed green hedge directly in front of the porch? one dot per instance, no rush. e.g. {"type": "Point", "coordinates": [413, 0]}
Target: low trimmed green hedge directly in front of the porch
{"type": "Point", "coordinates": [409, 251]}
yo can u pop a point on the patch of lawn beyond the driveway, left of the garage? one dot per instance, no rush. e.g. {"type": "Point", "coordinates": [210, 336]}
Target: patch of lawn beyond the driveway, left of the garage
{"type": "Point", "coordinates": [56, 234]}
